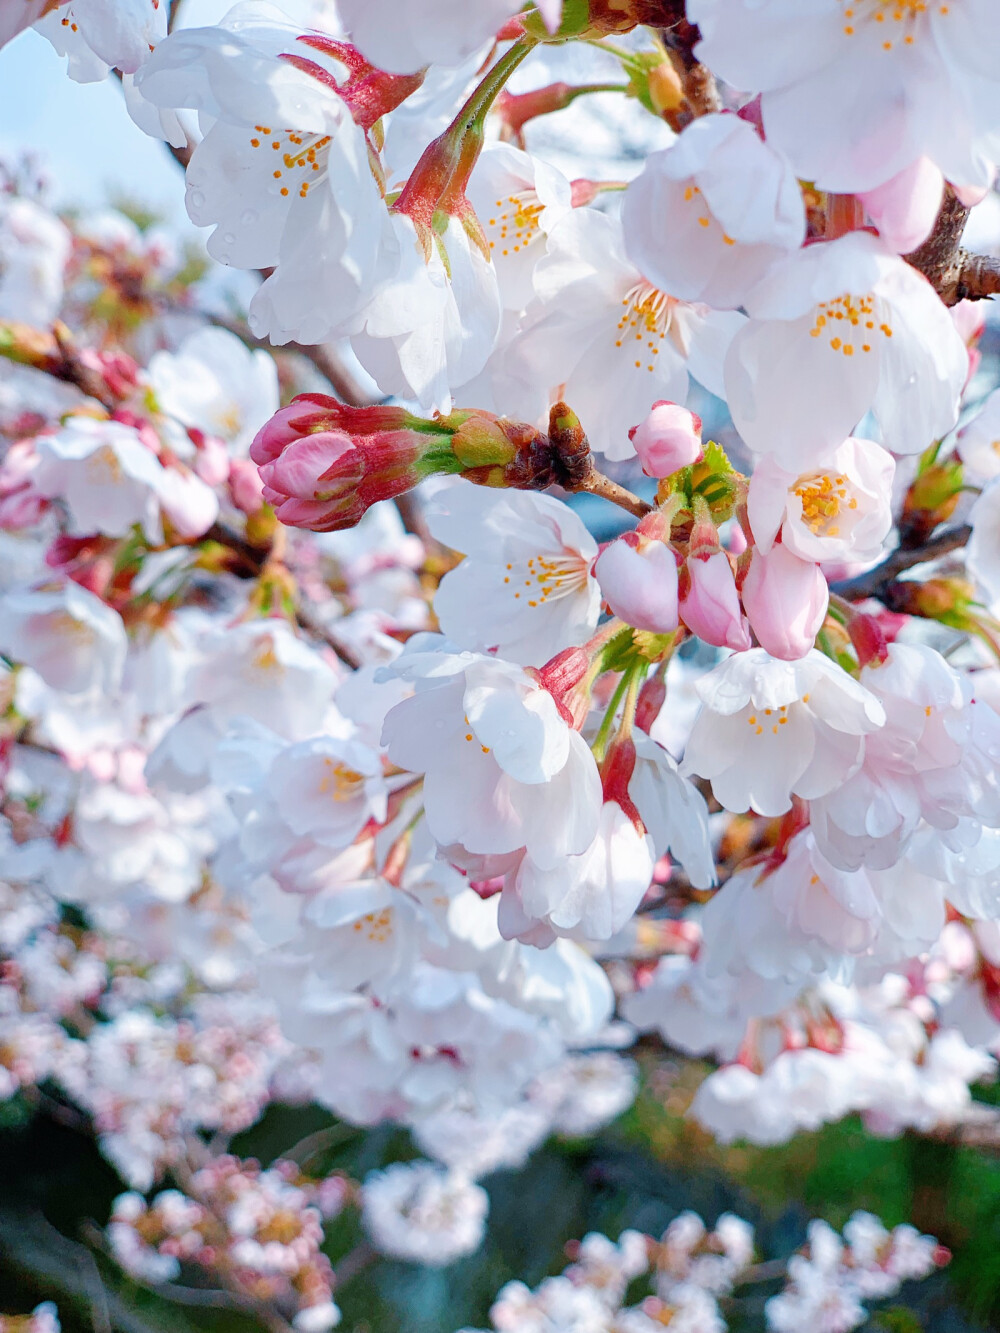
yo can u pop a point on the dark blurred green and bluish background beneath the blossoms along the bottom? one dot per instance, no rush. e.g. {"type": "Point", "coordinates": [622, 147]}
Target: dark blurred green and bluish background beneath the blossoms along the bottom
{"type": "Point", "coordinates": [57, 1192]}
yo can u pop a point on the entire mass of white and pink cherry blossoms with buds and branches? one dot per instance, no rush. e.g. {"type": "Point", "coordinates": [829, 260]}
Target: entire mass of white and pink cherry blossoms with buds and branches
{"type": "Point", "coordinates": [355, 750]}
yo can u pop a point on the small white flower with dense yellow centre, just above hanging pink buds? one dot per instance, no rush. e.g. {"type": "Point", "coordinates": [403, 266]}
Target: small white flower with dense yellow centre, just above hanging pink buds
{"type": "Point", "coordinates": [841, 511]}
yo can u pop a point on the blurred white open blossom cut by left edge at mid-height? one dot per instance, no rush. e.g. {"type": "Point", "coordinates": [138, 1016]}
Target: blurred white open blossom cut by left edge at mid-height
{"type": "Point", "coordinates": [69, 637]}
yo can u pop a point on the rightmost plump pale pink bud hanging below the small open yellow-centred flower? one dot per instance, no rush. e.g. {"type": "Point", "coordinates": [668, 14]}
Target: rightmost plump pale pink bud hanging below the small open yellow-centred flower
{"type": "Point", "coordinates": [786, 601]}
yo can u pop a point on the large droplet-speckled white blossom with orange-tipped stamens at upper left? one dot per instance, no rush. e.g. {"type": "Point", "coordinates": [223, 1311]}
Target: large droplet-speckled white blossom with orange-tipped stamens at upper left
{"type": "Point", "coordinates": [283, 173]}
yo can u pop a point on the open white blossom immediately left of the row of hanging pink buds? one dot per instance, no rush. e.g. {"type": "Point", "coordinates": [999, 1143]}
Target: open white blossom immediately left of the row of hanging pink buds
{"type": "Point", "coordinates": [526, 586]}
